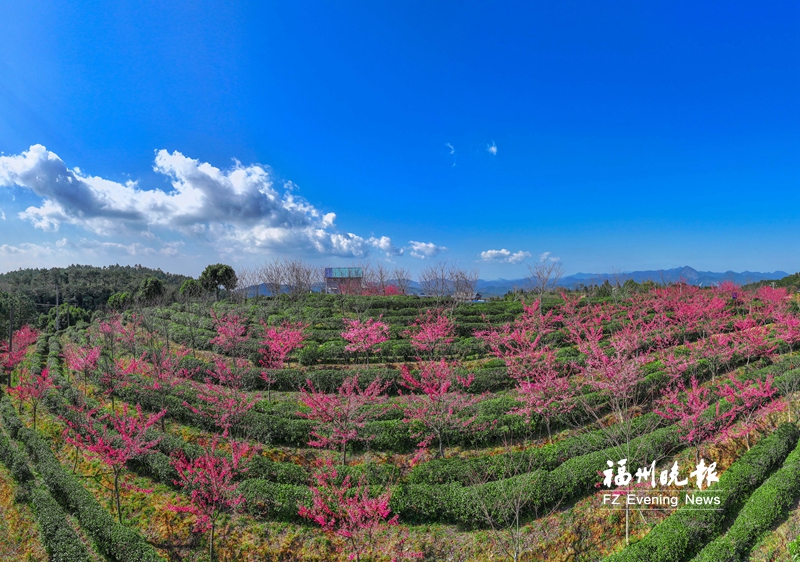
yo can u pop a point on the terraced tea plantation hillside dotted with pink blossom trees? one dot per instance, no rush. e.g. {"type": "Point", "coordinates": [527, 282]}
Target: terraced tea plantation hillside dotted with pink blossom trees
{"type": "Point", "coordinates": [330, 427]}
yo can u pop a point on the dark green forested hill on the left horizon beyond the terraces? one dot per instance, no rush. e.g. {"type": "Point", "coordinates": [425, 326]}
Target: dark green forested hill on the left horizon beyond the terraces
{"type": "Point", "coordinates": [85, 286]}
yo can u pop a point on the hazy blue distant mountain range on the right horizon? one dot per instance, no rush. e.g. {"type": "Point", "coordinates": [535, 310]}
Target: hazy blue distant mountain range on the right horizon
{"type": "Point", "coordinates": [685, 273]}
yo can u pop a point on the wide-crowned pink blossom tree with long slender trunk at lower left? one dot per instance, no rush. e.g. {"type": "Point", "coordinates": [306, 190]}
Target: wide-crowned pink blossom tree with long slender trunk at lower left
{"type": "Point", "coordinates": [114, 439]}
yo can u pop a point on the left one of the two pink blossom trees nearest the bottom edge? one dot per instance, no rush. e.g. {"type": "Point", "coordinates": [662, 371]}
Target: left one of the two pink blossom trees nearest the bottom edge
{"type": "Point", "coordinates": [213, 481]}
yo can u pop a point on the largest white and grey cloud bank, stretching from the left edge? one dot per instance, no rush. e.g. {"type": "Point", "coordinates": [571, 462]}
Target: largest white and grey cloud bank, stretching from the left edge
{"type": "Point", "coordinates": [235, 209]}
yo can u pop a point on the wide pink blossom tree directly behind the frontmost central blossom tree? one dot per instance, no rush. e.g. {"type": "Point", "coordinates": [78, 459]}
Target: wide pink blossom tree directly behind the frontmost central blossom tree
{"type": "Point", "coordinates": [342, 416]}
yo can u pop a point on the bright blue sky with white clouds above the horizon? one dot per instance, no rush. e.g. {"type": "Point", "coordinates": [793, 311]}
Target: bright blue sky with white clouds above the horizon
{"type": "Point", "coordinates": [638, 135]}
